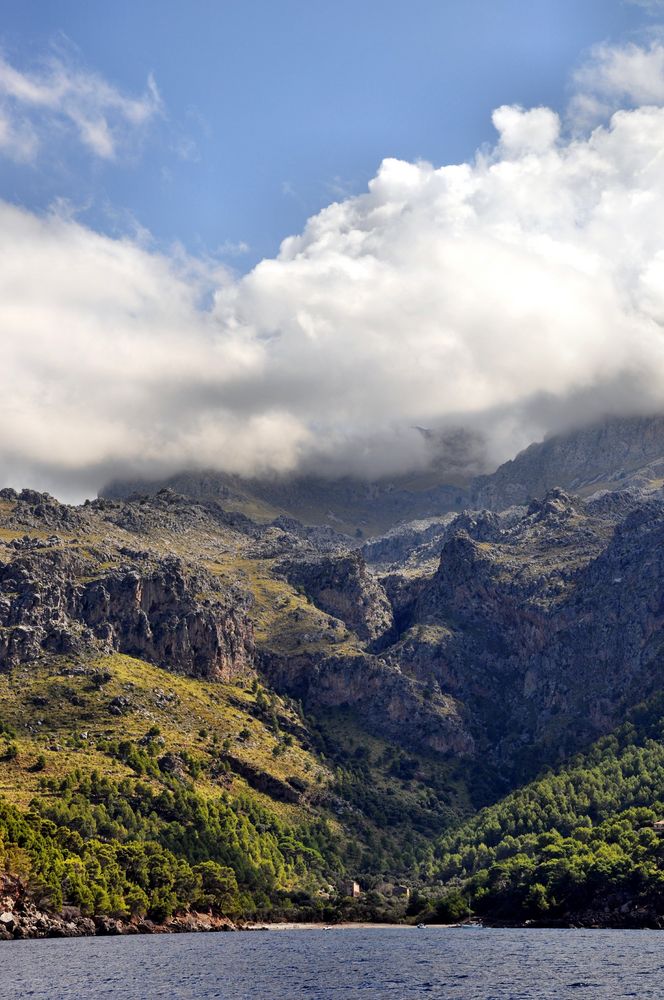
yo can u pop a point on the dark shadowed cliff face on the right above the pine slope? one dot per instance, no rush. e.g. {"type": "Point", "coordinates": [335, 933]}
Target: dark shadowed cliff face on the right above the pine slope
{"type": "Point", "coordinates": [545, 631]}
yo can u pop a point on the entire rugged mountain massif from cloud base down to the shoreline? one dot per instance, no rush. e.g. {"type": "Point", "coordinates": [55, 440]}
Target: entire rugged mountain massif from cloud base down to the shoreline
{"type": "Point", "coordinates": [210, 716]}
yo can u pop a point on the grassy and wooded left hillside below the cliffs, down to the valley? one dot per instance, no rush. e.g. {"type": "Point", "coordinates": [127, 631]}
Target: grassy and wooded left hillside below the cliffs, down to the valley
{"type": "Point", "coordinates": [205, 795]}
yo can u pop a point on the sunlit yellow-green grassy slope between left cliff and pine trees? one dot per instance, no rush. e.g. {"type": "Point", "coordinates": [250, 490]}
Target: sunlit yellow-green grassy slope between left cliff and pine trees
{"type": "Point", "coordinates": [49, 705]}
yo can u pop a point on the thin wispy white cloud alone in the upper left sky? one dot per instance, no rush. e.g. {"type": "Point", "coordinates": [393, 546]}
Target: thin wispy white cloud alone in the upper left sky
{"type": "Point", "coordinates": [35, 104]}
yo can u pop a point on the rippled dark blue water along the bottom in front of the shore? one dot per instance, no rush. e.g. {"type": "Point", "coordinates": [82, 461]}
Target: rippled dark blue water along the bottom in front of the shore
{"type": "Point", "coordinates": [366, 964]}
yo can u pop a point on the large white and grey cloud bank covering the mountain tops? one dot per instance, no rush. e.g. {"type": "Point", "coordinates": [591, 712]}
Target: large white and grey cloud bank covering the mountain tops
{"type": "Point", "coordinates": [511, 296]}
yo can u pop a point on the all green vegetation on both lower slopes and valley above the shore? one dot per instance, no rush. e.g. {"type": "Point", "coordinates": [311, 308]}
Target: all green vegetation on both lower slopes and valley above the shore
{"type": "Point", "coordinates": [225, 797]}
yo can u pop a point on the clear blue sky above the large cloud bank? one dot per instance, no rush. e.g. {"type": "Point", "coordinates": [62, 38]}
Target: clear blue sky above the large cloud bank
{"type": "Point", "coordinates": [273, 108]}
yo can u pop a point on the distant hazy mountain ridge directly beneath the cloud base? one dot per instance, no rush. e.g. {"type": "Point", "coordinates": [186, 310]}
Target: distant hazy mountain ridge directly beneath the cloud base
{"type": "Point", "coordinates": [619, 453]}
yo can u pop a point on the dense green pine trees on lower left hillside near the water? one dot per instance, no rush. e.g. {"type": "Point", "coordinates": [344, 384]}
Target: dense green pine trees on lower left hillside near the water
{"type": "Point", "coordinates": [126, 848]}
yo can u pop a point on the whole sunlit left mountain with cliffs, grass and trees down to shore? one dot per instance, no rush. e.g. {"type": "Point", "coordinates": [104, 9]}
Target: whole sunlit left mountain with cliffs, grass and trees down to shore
{"type": "Point", "coordinates": [155, 703]}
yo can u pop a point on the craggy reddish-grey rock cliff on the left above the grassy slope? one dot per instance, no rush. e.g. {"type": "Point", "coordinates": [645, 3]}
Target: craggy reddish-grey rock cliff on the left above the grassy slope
{"type": "Point", "coordinates": [150, 610]}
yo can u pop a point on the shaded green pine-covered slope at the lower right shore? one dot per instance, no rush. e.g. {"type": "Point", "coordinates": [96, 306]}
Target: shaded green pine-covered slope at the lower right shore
{"type": "Point", "coordinates": [575, 840]}
